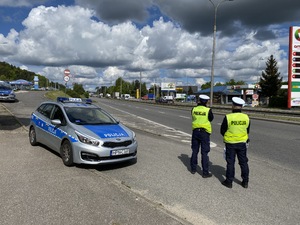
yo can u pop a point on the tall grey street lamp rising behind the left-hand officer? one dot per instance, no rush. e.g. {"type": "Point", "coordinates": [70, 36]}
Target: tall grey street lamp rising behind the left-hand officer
{"type": "Point", "coordinates": [213, 49]}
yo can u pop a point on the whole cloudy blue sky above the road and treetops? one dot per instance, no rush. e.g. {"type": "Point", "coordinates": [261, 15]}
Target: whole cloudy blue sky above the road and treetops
{"type": "Point", "coordinates": [165, 40]}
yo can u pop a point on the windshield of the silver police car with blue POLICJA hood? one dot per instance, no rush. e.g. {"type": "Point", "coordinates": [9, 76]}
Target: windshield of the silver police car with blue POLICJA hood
{"type": "Point", "coordinates": [89, 116]}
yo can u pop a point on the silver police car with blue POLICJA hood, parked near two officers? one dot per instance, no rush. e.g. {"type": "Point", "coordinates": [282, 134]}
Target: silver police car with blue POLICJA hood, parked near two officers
{"type": "Point", "coordinates": [81, 132]}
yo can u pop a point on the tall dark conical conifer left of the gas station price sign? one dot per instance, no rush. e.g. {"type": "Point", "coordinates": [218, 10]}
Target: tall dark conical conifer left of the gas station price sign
{"type": "Point", "coordinates": [270, 81]}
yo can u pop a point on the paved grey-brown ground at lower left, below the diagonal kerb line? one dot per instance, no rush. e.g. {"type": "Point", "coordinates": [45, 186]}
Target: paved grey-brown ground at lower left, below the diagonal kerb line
{"type": "Point", "coordinates": [35, 191]}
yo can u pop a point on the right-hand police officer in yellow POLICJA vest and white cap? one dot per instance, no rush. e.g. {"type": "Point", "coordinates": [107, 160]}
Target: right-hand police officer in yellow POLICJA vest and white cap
{"type": "Point", "coordinates": [235, 129]}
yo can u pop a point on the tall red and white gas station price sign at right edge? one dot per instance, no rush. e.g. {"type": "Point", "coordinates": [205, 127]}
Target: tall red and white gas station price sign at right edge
{"type": "Point", "coordinates": [294, 68]}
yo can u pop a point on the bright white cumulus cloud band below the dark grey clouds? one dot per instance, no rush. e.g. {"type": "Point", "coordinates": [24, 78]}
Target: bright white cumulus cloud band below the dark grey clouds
{"type": "Point", "coordinates": [55, 38]}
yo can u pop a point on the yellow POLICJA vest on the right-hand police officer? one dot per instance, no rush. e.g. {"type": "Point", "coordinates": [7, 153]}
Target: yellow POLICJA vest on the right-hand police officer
{"type": "Point", "coordinates": [237, 128]}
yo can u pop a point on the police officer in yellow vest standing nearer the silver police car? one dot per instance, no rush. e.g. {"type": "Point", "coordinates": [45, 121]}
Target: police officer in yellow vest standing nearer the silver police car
{"type": "Point", "coordinates": [201, 125]}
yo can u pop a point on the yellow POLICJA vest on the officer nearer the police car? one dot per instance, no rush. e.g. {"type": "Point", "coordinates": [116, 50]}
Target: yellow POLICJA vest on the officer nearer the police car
{"type": "Point", "coordinates": [200, 118]}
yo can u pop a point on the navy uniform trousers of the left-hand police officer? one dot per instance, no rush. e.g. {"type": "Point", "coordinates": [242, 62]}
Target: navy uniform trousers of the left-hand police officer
{"type": "Point", "coordinates": [200, 139]}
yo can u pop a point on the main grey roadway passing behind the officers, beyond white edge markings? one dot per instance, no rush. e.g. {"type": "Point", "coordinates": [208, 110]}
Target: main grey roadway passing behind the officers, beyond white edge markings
{"type": "Point", "coordinates": [269, 140]}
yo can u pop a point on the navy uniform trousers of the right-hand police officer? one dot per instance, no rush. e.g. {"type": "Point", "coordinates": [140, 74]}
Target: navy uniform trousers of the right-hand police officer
{"type": "Point", "coordinates": [239, 150]}
